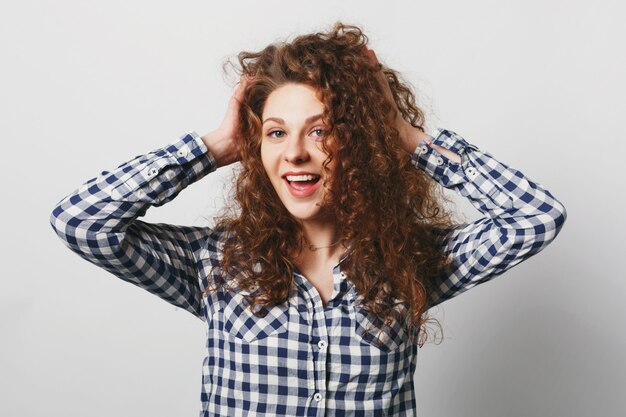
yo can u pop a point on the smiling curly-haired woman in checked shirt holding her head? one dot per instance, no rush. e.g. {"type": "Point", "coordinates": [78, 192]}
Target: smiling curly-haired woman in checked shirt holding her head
{"type": "Point", "coordinates": [315, 292]}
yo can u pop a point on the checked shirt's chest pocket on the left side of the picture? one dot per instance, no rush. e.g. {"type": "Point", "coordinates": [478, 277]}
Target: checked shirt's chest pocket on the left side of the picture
{"type": "Point", "coordinates": [233, 316]}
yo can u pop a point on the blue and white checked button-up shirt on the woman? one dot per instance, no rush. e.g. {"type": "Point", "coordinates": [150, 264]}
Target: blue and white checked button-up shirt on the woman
{"type": "Point", "coordinates": [301, 359]}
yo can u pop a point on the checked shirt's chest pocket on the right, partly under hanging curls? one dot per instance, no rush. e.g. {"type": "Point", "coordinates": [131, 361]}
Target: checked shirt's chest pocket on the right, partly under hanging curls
{"type": "Point", "coordinates": [372, 330]}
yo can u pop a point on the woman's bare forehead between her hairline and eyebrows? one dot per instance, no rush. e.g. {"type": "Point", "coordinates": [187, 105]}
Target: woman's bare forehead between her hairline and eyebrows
{"type": "Point", "coordinates": [293, 102]}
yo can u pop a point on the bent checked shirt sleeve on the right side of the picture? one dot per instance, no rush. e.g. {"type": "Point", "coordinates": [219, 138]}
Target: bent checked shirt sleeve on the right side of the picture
{"type": "Point", "coordinates": [520, 217]}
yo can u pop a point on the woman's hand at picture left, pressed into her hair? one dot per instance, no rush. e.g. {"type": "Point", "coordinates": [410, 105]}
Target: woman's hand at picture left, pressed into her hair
{"type": "Point", "coordinates": [222, 142]}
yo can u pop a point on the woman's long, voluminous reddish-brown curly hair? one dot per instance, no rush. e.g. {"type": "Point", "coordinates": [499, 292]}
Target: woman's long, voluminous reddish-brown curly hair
{"type": "Point", "coordinates": [385, 208]}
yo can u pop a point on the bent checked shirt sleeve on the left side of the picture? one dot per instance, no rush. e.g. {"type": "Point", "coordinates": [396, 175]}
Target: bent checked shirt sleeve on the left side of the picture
{"type": "Point", "coordinates": [99, 222]}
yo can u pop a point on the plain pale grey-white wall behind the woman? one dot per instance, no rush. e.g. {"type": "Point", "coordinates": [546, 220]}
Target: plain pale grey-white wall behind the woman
{"type": "Point", "coordinates": [87, 85]}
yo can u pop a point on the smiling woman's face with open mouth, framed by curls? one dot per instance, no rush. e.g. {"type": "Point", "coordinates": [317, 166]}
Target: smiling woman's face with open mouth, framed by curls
{"type": "Point", "coordinates": [291, 148]}
